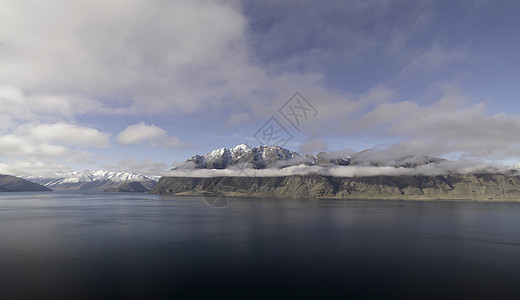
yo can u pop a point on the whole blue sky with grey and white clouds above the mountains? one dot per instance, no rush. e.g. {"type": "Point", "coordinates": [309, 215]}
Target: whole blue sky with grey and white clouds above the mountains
{"type": "Point", "coordinates": [141, 85]}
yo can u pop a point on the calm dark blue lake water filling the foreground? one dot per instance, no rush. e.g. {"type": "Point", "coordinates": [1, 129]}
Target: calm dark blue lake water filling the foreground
{"type": "Point", "coordinates": [118, 245]}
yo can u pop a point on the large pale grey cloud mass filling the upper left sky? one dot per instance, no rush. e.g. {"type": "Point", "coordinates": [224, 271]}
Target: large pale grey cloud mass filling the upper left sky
{"type": "Point", "coordinates": [155, 57]}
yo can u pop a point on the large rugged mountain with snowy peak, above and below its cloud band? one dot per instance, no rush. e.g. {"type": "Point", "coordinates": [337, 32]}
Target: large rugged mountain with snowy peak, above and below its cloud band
{"type": "Point", "coordinates": [483, 185]}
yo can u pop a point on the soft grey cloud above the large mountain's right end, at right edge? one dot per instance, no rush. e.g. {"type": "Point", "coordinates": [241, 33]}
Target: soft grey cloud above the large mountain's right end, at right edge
{"type": "Point", "coordinates": [454, 123]}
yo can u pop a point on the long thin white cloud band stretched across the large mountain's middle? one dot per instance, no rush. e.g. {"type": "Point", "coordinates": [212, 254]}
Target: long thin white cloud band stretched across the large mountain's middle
{"type": "Point", "coordinates": [443, 168]}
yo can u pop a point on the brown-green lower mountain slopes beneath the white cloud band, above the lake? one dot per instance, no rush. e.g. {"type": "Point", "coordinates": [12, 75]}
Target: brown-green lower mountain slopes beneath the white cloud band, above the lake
{"type": "Point", "coordinates": [497, 187]}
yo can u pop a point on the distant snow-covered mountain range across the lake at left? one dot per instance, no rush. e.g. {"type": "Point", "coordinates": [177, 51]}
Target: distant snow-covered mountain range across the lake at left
{"type": "Point", "coordinates": [100, 180]}
